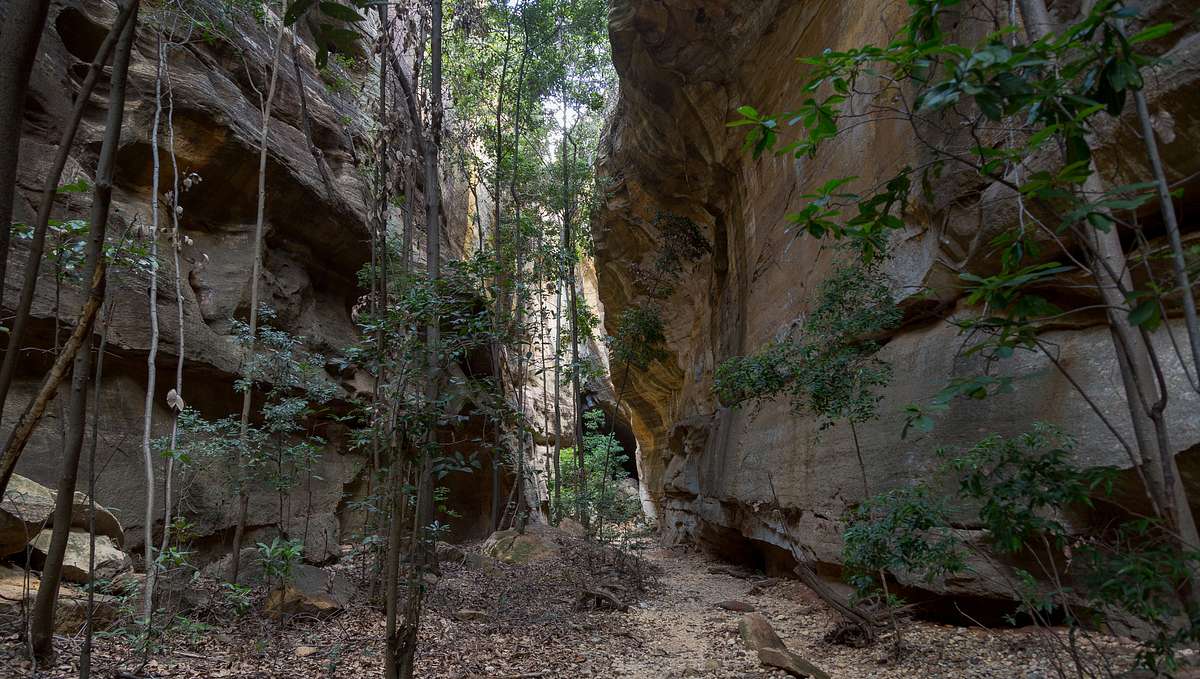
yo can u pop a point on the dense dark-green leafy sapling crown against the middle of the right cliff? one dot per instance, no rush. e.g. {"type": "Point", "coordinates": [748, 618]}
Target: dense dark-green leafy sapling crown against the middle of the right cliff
{"type": "Point", "coordinates": [829, 364]}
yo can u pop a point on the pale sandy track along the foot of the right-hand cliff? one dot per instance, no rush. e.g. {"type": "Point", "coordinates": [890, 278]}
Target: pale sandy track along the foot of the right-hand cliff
{"type": "Point", "coordinates": [681, 632]}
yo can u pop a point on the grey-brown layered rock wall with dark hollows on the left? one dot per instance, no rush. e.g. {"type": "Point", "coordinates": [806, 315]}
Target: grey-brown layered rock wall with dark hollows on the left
{"type": "Point", "coordinates": [316, 243]}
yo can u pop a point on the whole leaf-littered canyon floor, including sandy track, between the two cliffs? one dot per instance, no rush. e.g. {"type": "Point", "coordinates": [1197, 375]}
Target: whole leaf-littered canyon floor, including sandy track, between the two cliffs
{"type": "Point", "coordinates": [524, 622]}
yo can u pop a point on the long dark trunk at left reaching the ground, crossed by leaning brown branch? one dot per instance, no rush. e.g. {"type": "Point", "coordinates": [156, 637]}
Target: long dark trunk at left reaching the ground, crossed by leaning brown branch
{"type": "Point", "coordinates": [43, 632]}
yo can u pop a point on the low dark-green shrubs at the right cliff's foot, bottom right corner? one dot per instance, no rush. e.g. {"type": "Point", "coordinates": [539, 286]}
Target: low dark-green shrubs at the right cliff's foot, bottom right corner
{"type": "Point", "coordinates": [1021, 490]}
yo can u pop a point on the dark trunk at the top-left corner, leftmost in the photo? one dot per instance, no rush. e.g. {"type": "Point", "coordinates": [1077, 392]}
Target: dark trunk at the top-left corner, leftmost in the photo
{"type": "Point", "coordinates": [19, 49]}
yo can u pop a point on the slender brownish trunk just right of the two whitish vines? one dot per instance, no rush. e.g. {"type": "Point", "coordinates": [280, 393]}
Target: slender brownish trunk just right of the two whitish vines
{"type": "Point", "coordinates": [256, 274]}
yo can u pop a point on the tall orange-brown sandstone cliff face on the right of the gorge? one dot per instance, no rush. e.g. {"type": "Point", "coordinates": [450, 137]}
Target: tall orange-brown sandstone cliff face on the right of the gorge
{"type": "Point", "coordinates": [717, 474]}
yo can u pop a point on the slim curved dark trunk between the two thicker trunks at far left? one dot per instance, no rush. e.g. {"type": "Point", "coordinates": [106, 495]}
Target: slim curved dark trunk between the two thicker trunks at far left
{"type": "Point", "coordinates": [38, 245]}
